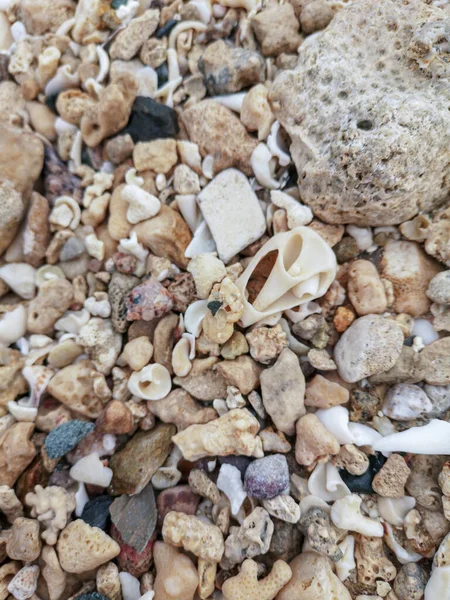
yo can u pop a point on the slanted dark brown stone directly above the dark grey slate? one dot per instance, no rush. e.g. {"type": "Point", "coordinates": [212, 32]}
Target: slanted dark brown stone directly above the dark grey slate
{"type": "Point", "coordinates": [138, 461]}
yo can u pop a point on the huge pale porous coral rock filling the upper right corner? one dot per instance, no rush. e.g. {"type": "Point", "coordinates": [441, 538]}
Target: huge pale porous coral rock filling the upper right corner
{"type": "Point", "coordinates": [370, 134]}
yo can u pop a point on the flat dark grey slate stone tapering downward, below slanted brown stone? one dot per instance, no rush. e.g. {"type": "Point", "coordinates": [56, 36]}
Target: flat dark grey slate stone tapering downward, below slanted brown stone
{"type": "Point", "coordinates": [135, 517]}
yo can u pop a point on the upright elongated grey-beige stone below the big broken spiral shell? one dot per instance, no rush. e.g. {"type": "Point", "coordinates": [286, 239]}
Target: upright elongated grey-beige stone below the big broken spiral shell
{"type": "Point", "coordinates": [283, 390]}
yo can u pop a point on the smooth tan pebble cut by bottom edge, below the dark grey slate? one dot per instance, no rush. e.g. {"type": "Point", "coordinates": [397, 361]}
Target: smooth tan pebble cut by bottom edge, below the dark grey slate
{"type": "Point", "coordinates": [176, 576]}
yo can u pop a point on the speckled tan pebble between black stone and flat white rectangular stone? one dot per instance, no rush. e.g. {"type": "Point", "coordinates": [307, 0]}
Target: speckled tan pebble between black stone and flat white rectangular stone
{"type": "Point", "coordinates": [219, 133]}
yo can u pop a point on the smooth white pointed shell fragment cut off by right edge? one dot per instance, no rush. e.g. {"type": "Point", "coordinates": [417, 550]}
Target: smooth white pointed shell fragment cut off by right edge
{"type": "Point", "coordinates": [433, 438]}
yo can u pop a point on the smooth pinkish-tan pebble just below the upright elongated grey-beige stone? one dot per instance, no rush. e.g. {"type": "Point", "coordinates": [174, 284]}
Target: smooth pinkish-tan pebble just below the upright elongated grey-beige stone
{"type": "Point", "coordinates": [313, 441]}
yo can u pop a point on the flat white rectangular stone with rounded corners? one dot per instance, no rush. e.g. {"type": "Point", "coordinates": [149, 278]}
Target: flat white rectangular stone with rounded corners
{"type": "Point", "coordinates": [233, 213]}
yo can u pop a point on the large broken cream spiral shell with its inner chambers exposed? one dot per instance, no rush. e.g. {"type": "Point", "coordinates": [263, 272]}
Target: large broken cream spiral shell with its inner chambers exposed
{"type": "Point", "coordinates": [303, 271]}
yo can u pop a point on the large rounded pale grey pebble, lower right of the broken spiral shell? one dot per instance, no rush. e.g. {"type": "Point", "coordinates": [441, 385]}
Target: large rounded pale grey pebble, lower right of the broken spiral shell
{"type": "Point", "coordinates": [372, 344]}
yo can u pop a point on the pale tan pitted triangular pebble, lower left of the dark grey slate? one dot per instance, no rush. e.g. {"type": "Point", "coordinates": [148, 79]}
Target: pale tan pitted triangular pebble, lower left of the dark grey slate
{"type": "Point", "coordinates": [74, 541]}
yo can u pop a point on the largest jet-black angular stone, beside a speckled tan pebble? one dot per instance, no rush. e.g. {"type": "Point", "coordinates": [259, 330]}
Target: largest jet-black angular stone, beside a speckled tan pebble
{"type": "Point", "coordinates": [151, 120]}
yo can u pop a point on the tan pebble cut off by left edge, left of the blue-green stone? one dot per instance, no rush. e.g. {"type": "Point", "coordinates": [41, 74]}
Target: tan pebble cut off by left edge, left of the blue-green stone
{"type": "Point", "coordinates": [16, 452]}
